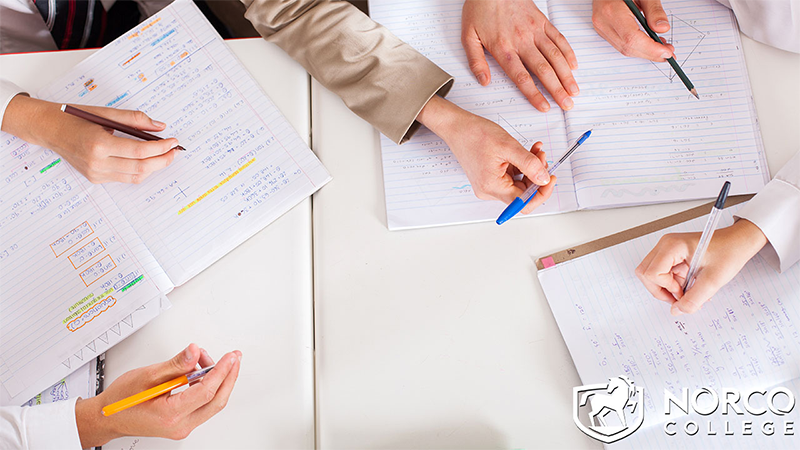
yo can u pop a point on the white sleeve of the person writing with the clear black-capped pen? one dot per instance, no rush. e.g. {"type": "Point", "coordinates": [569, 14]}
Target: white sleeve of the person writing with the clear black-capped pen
{"type": "Point", "coordinates": [776, 211]}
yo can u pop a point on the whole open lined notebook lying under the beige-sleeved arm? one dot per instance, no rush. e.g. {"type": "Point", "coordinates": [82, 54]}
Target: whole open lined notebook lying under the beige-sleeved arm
{"type": "Point", "coordinates": [652, 141]}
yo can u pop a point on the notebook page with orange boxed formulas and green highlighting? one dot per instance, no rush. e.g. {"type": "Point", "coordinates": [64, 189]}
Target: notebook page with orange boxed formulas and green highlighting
{"type": "Point", "coordinates": [72, 268]}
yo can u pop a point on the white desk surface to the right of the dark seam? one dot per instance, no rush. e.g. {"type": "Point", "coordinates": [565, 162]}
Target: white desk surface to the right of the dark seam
{"type": "Point", "coordinates": [442, 337]}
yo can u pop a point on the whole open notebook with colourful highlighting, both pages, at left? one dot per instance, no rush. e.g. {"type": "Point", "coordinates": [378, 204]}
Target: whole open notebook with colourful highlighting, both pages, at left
{"type": "Point", "coordinates": [90, 263]}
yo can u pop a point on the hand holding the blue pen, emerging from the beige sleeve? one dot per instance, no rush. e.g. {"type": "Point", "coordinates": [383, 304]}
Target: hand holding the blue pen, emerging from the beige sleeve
{"type": "Point", "coordinates": [489, 156]}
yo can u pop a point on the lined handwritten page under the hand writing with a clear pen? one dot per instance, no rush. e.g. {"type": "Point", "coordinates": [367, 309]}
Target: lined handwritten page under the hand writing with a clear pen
{"type": "Point", "coordinates": [747, 337]}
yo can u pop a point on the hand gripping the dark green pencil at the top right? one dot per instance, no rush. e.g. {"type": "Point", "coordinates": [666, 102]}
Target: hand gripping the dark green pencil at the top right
{"type": "Point", "coordinates": [614, 21]}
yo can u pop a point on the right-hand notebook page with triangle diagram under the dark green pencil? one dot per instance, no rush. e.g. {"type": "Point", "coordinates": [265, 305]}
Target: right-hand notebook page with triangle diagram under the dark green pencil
{"type": "Point", "coordinates": [653, 141]}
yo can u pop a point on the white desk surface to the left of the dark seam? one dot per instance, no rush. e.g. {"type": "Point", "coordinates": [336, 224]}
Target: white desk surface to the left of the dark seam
{"type": "Point", "coordinates": [257, 299]}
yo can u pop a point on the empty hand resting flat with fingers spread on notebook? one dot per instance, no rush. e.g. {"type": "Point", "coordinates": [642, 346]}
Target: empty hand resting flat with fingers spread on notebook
{"type": "Point", "coordinates": [518, 35]}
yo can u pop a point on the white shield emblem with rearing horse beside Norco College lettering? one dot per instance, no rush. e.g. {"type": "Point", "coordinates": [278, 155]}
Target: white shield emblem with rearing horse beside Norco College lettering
{"type": "Point", "coordinates": [612, 411]}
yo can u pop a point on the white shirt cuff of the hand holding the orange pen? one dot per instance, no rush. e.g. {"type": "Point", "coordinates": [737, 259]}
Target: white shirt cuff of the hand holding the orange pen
{"type": "Point", "coordinates": [50, 426]}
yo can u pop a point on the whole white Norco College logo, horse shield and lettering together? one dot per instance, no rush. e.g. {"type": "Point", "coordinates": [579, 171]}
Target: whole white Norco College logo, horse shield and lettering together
{"type": "Point", "coordinates": [614, 410]}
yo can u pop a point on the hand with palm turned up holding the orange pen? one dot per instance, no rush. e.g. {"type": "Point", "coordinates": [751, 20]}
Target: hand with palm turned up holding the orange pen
{"type": "Point", "coordinates": [172, 416]}
